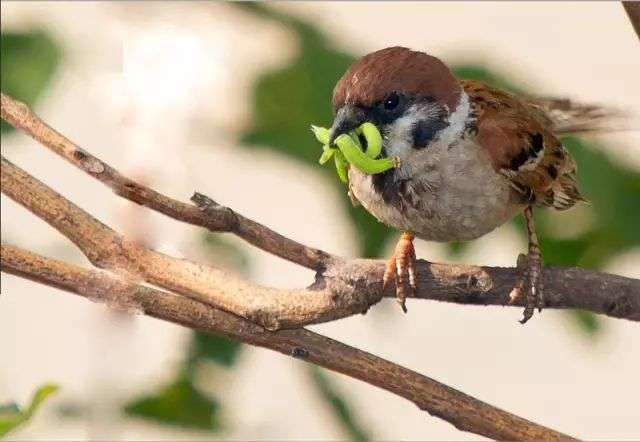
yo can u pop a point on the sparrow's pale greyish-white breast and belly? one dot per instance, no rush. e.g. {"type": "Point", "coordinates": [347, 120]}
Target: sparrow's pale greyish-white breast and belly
{"type": "Point", "coordinates": [460, 196]}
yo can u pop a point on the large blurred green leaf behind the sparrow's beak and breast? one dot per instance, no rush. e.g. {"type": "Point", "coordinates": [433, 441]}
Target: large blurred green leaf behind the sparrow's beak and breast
{"type": "Point", "coordinates": [288, 100]}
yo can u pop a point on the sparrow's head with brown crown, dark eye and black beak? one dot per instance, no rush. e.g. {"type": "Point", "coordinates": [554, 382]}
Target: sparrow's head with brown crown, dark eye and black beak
{"type": "Point", "coordinates": [409, 95]}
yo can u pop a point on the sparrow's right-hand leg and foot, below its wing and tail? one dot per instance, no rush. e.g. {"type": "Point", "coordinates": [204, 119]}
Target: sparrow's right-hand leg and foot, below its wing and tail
{"type": "Point", "coordinates": [530, 272]}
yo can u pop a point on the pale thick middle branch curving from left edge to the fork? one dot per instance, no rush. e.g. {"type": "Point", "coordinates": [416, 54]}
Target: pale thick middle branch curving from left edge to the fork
{"type": "Point", "coordinates": [109, 250]}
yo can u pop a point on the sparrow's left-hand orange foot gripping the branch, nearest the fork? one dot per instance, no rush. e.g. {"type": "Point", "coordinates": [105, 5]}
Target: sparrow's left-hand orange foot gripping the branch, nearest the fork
{"type": "Point", "coordinates": [401, 265]}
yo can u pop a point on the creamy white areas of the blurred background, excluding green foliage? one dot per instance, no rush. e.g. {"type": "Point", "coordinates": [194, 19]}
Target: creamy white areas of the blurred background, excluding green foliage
{"type": "Point", "coordinates": [144, 85]}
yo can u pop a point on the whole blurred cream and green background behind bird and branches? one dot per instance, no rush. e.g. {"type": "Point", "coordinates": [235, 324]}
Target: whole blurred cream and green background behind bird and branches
{"type": "Point", "coordinates": [219, 97]}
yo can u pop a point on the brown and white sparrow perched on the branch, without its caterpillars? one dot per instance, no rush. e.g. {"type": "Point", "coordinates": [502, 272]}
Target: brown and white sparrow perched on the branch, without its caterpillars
{"type": "Point", "coordinates": [470, 157]}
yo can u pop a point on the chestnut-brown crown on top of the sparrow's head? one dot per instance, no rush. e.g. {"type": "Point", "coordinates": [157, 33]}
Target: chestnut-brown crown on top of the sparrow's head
{"type": "Point", "coordinates": [374, 76]}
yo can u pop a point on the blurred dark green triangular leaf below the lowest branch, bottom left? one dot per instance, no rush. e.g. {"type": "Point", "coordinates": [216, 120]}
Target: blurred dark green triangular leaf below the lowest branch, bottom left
{"type": "Point", "coordinates": [179, 404]}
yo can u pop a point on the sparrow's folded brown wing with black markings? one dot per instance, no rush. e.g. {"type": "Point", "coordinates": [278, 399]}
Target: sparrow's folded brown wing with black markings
{"type": "Point", "coordinates": [522, 146]}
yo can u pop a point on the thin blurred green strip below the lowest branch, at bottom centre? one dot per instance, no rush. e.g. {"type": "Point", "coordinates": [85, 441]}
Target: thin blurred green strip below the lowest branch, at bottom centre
{"type": "Point", "coordinates": [339, 405]}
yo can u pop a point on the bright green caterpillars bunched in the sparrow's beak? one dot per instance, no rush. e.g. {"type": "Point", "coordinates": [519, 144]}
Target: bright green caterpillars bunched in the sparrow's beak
{"type": "Point", "coordinates": [349, 150]}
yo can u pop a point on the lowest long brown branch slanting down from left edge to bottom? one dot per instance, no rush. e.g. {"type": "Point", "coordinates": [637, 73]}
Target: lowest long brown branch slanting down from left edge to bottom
{"type": "Point", "coordinates": [463, 411]}
